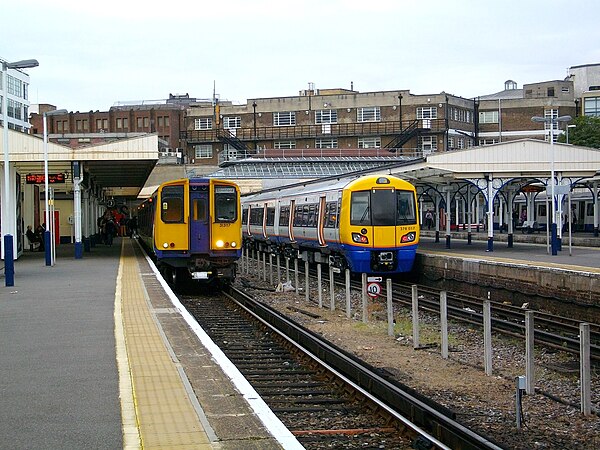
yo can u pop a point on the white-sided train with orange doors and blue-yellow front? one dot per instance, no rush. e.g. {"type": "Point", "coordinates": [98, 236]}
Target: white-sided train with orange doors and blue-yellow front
{"type": "Point", "coordinates": [367, 224]}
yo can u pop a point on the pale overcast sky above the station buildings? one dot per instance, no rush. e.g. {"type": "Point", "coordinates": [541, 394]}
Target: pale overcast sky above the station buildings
{"type": "Point", "coordinates": [93, 54]}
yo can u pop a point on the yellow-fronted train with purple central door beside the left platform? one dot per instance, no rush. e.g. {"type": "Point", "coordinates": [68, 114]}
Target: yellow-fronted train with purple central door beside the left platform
{"type": "Point", "coordinates": [192, 227]}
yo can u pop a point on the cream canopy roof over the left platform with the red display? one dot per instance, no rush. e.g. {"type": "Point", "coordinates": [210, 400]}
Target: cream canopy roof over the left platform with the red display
{"type": "Point", "coordinates": [120, 168]}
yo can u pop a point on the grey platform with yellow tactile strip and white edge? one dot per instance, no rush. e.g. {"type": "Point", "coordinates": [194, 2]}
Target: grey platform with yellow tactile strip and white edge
{"type": "Point", "coordinates": [95, 354]}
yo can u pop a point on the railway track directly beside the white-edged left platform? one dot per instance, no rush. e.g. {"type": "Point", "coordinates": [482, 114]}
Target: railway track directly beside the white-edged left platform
{"type": "Point", "coordinates": [326, 397]}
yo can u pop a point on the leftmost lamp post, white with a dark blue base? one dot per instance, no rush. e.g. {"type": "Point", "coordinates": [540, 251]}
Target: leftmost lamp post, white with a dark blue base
{"type": "Point", "coordinates": [7, 225]}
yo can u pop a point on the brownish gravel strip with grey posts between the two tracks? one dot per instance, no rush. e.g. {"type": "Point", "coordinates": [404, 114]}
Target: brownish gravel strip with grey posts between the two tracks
{"type": "Point", "coordinates": [486, 404]}
